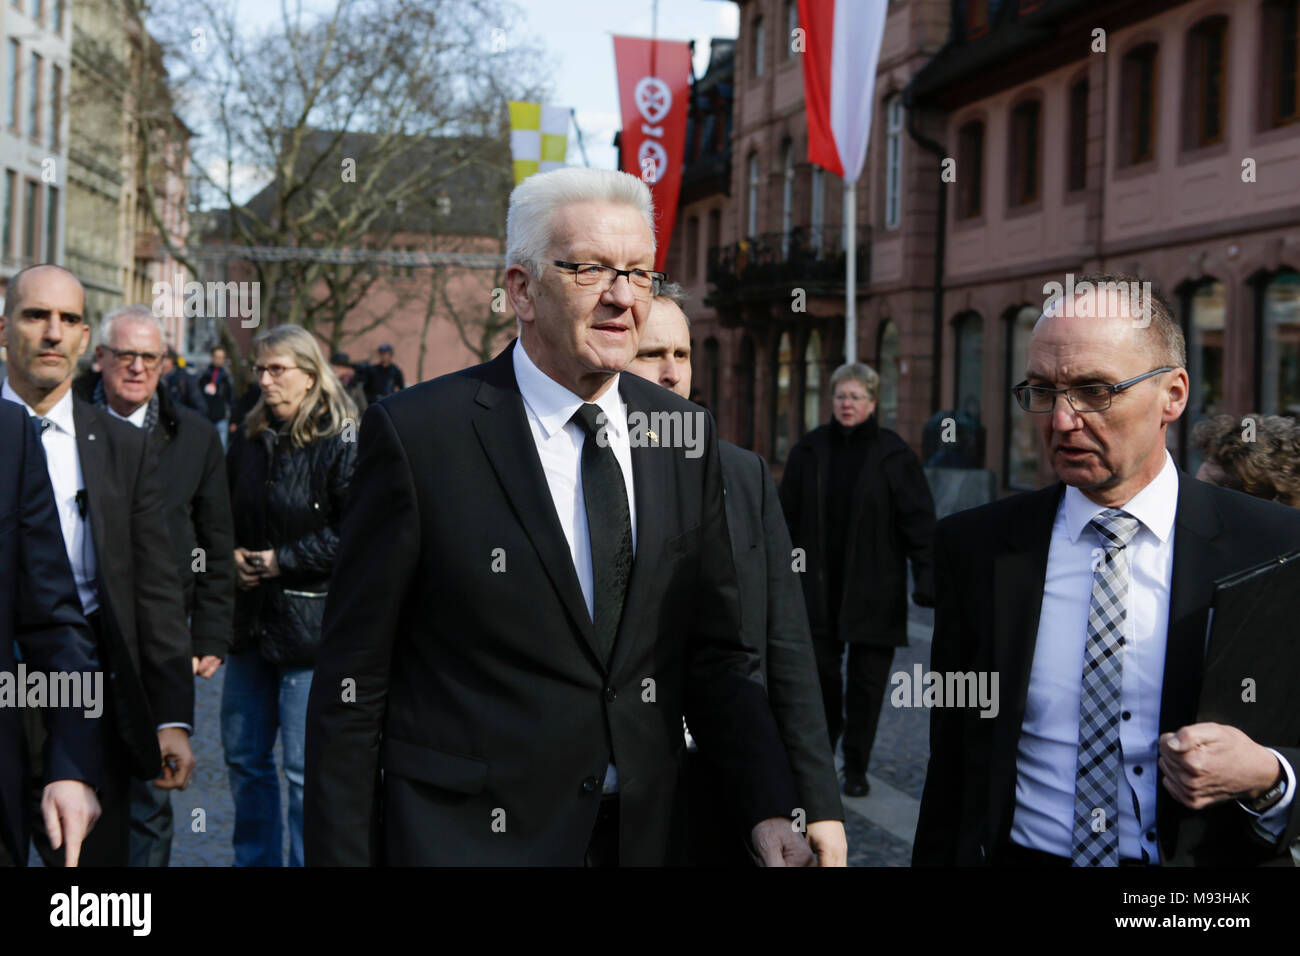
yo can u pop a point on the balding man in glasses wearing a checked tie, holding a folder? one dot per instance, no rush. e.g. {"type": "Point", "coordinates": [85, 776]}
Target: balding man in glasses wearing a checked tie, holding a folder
{"type": "Point", "coordinates": [1090, 600]}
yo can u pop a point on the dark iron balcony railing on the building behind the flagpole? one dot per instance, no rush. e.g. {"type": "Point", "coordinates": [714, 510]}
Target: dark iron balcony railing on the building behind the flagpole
{"type": "Point", "coordinates": [775, 263]}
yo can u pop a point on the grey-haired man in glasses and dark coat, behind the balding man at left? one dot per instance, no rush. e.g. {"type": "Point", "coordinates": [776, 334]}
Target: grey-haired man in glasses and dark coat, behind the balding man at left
{"type": "Point", "coordinates": [197, 503]}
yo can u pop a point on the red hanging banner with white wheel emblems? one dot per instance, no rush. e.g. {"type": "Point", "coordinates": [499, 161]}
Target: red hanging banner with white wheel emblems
{"type": "Point", "coordinates": [655, 92]}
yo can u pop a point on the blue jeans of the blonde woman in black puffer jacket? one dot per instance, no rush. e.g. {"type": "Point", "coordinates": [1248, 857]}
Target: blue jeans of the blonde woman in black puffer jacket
{"type": "Point", "coordinates": [258, 700]}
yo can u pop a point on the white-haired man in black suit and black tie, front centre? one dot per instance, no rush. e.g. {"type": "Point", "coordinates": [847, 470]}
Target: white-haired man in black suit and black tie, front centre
{"type": "Point", "coordinates": [528, 602]}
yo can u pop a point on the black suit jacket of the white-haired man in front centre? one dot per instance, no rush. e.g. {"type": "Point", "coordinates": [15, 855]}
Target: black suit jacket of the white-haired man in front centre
{"type": "Point", "coordinates": [458, 654]}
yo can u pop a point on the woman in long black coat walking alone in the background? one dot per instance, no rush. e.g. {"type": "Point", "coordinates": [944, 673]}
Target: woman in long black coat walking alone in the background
{"type": "Point", "coordinates": [859, 505]}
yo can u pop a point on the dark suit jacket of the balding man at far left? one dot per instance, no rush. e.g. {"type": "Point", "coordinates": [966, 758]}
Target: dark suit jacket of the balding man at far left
{"type": "Point", "coordinates": [146, 643]}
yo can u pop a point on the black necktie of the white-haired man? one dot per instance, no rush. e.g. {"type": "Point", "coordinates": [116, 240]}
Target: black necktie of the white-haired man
{"type": "Point", "coordinates": [609, 527]}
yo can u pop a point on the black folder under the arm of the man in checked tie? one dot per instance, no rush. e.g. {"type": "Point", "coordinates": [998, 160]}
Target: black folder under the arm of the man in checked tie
{"type": "Point", "coordinates": [1253, 656]}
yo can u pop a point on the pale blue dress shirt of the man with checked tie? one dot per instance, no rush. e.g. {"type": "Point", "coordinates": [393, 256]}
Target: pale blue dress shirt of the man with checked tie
{"type": "Point", "coordinates": [1047, 755]}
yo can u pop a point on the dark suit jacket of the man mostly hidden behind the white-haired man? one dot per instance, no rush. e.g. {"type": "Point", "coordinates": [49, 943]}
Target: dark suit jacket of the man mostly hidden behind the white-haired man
{"type": "Point", "coordinates": [774, 621]}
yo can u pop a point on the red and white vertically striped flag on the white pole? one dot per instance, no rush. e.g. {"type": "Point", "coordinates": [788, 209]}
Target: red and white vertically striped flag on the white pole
{"type": "Point", "coordinates": [842, 51]}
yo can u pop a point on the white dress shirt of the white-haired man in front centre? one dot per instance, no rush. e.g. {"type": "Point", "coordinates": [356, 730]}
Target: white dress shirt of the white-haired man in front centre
{"type": "Point", "coordinates": [560, 445]}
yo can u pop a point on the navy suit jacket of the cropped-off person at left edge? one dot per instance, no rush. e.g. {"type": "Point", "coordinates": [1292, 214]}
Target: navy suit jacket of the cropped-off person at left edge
{"type": "Point", "coordinates": [40, 609]}
